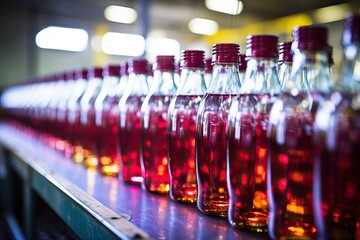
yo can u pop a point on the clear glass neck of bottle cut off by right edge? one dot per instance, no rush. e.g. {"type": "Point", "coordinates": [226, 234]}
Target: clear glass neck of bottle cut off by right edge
{"type": "Point", "coordinates": [349, 78]}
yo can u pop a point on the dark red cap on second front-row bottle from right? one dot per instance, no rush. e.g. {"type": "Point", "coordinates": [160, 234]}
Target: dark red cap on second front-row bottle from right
{"type": "Point", "coordinates": [311, 38]}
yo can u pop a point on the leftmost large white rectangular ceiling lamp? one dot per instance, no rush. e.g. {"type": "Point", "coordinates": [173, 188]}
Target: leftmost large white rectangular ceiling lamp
{"type": "Point", "coordinates": [61, 38]}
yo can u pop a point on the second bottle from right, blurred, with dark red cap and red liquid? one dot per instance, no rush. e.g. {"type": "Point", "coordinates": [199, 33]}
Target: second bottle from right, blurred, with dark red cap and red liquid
{"type": "Point", "coordinates": [290, 160]}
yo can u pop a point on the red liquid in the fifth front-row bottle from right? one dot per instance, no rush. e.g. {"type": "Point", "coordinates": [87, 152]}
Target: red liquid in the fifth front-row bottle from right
{"type": "Point", "coordinates": [181, 148]}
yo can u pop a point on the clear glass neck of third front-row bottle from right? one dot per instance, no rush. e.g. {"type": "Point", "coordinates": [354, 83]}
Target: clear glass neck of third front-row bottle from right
{"type": "Point", "coordinates": [261, 76]}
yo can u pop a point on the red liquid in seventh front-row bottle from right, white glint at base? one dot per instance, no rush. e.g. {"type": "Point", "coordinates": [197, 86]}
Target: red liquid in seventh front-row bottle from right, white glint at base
{"type": "Point", "coordinates": [129, 137]}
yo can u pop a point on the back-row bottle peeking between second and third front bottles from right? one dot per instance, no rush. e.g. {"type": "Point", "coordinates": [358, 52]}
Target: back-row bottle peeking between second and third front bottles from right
{"type": "Point", "coordinates": [285, 62]}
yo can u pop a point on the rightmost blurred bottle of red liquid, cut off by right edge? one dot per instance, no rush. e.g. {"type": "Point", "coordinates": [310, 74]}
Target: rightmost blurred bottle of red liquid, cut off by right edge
{"type": "Point", "coordinates": [337, 136]}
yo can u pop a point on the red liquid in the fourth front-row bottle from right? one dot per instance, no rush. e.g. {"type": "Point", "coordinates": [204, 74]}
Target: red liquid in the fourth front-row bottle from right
{"type": "Point", "coordinates": [211, 154]}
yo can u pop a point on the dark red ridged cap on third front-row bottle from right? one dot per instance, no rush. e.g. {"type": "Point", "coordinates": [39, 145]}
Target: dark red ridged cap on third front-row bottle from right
{"type": "Point", "coordinates": [262, 46]}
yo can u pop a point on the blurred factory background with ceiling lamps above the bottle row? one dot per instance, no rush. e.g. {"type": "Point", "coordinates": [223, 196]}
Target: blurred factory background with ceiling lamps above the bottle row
{"type": "Point", "coordinates": [39, 37]}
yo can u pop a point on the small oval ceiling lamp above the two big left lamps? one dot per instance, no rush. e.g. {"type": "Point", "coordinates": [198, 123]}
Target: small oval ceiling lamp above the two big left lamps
{"type": "Point", "coordinates": [120, 14]}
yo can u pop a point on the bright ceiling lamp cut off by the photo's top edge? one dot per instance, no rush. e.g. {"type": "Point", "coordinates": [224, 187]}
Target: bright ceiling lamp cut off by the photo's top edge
{"type": "Point", "coordinates": [232, 7]}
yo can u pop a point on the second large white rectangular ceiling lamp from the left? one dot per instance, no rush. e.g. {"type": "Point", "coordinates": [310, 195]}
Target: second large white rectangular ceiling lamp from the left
{"type": "Point", "coordinates": [123, 44]}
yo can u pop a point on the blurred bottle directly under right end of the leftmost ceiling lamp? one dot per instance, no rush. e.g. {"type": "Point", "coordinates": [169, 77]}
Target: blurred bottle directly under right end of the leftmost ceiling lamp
{"type": "Point", "coordinates": [74, 149]}
